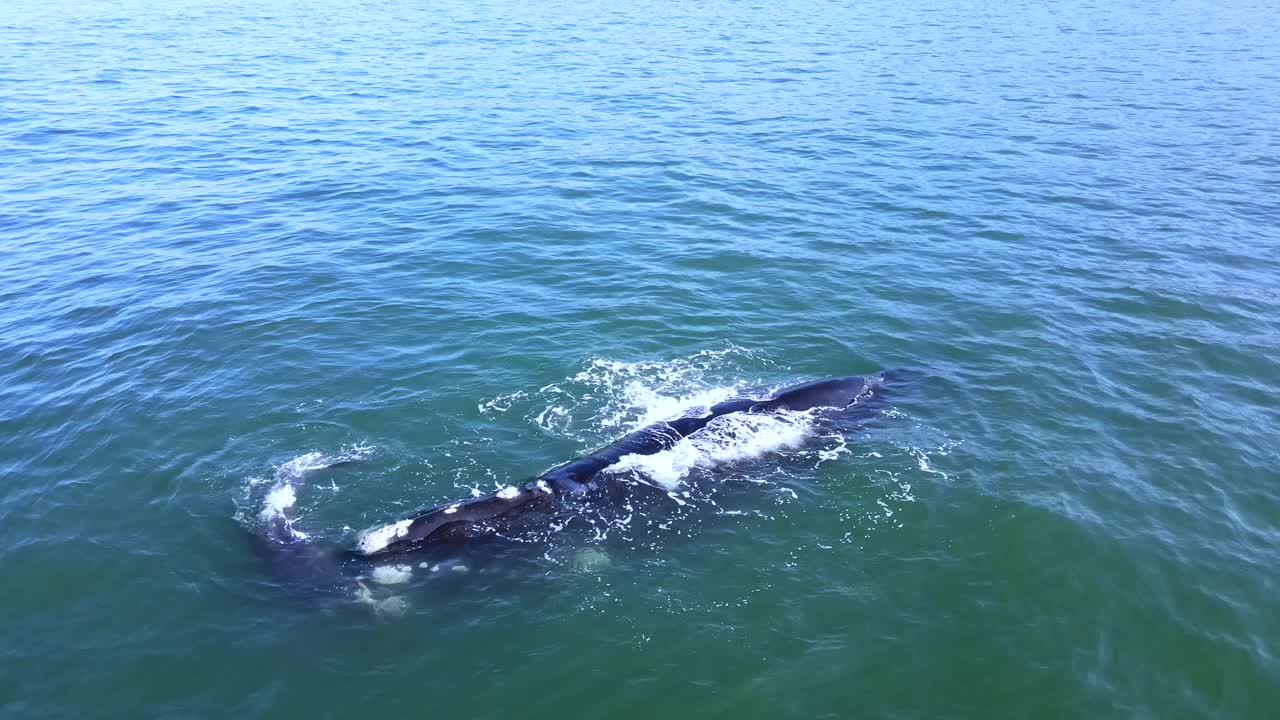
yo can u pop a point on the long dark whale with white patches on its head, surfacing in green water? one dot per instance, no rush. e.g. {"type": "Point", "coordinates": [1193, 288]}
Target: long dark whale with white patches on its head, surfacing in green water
{"type": "Point", "coordinates": [499, 513]}
